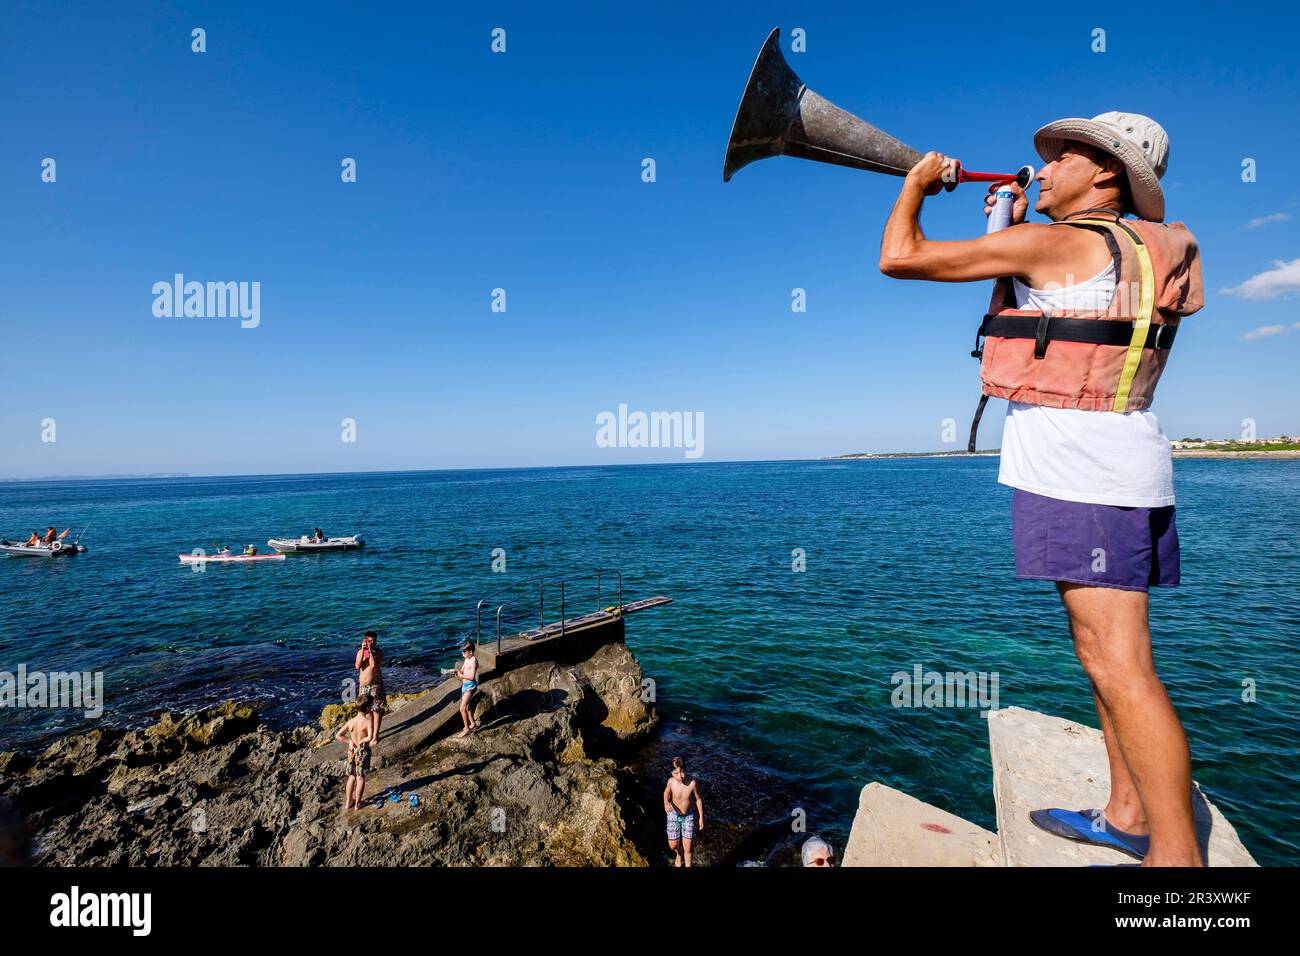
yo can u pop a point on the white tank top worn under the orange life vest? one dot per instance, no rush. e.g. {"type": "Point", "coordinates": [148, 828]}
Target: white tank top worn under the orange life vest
{"type": "Point", "coordinates": [1095, 457]}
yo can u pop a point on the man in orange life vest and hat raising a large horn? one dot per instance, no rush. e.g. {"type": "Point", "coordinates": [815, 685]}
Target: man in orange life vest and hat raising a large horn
{"type": "Point", "coordinates": [1084, 315]}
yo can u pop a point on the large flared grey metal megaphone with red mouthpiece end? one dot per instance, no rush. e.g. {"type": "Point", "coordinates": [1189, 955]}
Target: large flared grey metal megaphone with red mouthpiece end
{"type": "Point", "coordinates": [779, 116]}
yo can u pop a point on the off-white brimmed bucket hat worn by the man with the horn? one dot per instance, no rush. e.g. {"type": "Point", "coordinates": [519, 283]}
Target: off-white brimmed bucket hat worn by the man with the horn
{"type": "Point", "coordinates": [1137, 141]}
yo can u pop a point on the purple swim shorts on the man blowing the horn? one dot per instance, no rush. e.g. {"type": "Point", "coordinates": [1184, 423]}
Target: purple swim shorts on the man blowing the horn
{"type": "Point", "coordinates": [1103, 546]}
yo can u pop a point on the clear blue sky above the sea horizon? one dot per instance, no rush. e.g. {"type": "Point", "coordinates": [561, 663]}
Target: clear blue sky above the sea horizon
{"type": "Point", "coordinates": [523, 171]}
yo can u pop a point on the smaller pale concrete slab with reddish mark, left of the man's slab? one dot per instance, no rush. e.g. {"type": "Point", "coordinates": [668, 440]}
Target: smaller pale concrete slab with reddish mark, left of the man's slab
{"type": "Point", "coordinates": [894, 829]}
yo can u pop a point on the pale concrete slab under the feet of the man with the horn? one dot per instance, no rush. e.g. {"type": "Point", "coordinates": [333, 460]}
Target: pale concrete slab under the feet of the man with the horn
{"type": "Point", "coordinates": [1043, 762]}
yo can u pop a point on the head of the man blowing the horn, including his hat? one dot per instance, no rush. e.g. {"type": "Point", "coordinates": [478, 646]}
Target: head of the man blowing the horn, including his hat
{"type": "Point", "coordinates": [1115, 161]}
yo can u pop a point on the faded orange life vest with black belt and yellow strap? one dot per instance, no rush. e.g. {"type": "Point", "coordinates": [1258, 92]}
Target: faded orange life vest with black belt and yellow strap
{"type": "Point", "coordinates": [1097, 361]}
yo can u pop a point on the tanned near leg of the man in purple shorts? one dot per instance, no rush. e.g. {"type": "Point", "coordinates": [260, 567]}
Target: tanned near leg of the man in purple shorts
{"type": "Point", "coordinates": [1113, 644]}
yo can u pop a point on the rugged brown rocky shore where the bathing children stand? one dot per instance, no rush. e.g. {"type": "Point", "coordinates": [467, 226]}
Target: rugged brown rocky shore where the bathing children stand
{"type": "Point", "coordinates": [545, 782]}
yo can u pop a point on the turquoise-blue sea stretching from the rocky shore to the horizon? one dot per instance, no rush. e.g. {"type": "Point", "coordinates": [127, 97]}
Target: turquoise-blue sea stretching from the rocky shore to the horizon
{"type": "Point", "coordinates": [783, 673]}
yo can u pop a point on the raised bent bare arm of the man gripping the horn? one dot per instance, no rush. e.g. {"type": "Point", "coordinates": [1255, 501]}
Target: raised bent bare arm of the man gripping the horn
{"type": "Point", "coordinates": [905, 253]}
